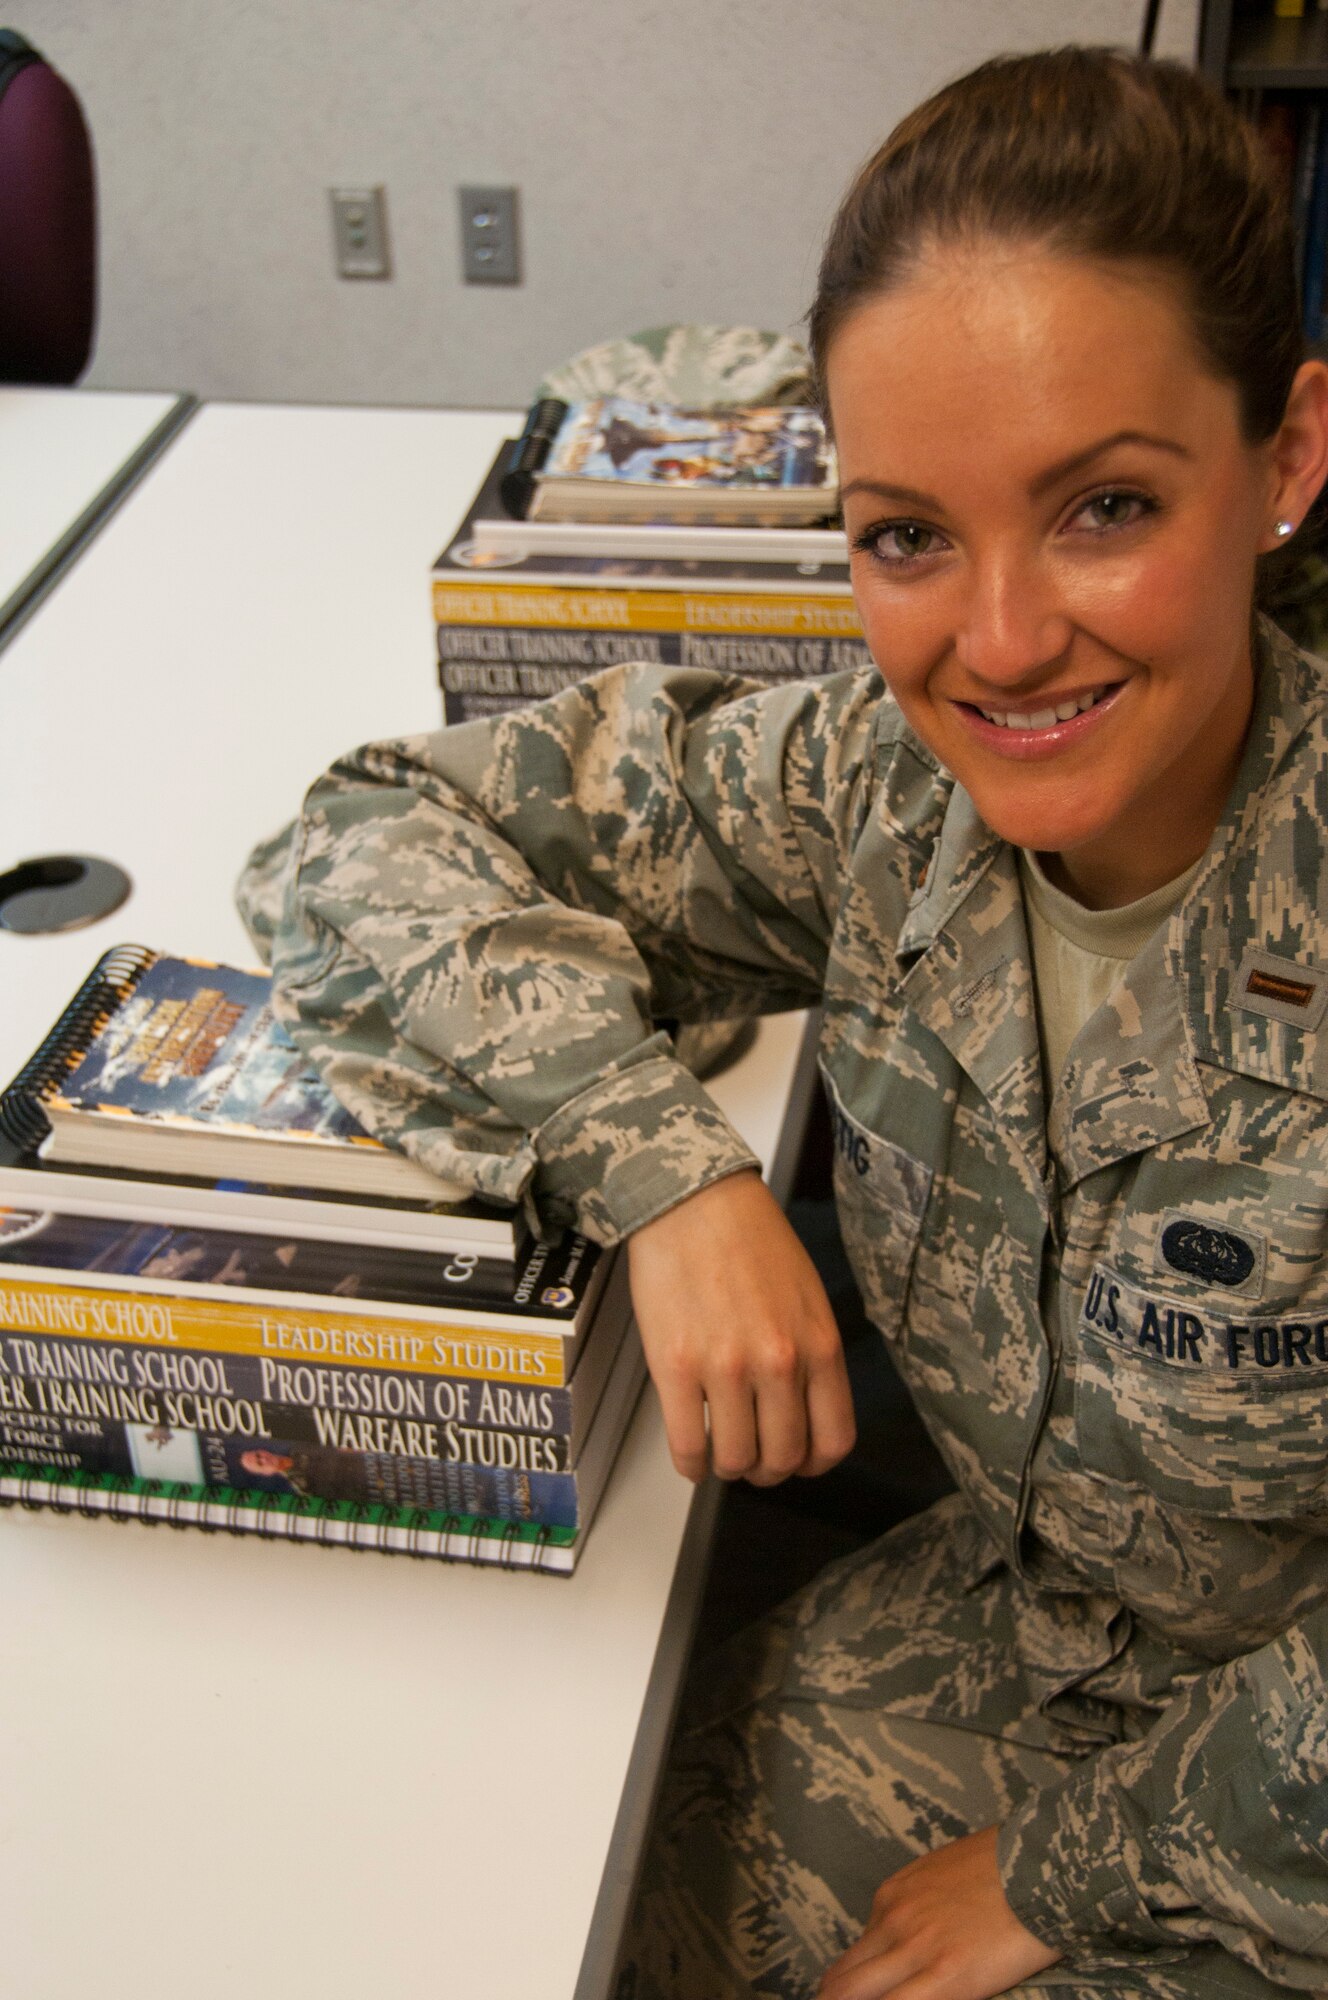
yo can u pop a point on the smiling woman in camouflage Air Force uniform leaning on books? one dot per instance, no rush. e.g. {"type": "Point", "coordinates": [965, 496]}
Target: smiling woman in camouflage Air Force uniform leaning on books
{"type": "Point", "coordinates": [1061, 891]}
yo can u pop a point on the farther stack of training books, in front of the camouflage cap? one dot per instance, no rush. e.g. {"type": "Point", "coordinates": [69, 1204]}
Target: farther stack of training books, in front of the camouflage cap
{"type": "Point", "coordinates": [619, 531]}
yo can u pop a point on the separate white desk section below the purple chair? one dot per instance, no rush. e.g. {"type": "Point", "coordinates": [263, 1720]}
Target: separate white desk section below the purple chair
{"type": "Point", "coordinates": [67, 457]}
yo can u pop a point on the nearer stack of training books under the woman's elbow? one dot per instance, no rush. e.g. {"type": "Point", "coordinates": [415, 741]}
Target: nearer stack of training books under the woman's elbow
{"type": "Point", "coordinates": [225, 1305]}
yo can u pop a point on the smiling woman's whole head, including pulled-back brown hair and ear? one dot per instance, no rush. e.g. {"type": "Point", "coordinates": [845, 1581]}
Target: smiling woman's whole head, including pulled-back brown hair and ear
{"type": "Point", "coordinates": [1095, 353]}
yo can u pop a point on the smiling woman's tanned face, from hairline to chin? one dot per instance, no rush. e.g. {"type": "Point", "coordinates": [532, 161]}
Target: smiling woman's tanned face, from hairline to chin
{"type": "Point", "coordinates": [1053, 521]}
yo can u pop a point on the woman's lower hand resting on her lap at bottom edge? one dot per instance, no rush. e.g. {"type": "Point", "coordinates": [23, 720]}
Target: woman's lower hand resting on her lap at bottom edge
{"type": "Point", "coordinates": [941, 1931]}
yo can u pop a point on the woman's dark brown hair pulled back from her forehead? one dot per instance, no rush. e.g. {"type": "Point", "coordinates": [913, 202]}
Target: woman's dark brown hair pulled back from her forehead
{"type": "Point", "coordinates": [1089, 153]}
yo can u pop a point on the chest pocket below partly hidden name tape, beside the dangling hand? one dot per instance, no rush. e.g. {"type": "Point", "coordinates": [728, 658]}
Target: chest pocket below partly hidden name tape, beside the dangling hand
{"type": "Point", "coordinates": [881, 1195]}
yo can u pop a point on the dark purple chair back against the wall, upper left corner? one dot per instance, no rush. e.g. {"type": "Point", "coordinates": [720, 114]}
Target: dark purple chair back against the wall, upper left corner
{"type": "Point", "coordinates": [47, 223]}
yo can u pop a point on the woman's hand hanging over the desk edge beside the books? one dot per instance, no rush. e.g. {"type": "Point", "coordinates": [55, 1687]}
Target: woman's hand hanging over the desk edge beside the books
{"type": "Point", "coordinates": [737, 1323]}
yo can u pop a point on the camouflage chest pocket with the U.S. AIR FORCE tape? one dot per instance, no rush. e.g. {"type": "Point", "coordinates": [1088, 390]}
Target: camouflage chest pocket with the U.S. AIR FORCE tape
{"type": "Point", "coordinates": [1217, 1415]}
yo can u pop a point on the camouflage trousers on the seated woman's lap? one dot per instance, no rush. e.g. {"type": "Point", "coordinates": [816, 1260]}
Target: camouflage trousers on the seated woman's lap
{"type": "Point", "coordinates": [815, 1759]}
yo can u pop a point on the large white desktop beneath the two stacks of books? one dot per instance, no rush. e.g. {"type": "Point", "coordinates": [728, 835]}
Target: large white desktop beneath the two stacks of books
{"type": "Point", "coordinates": [229, 1761]}
